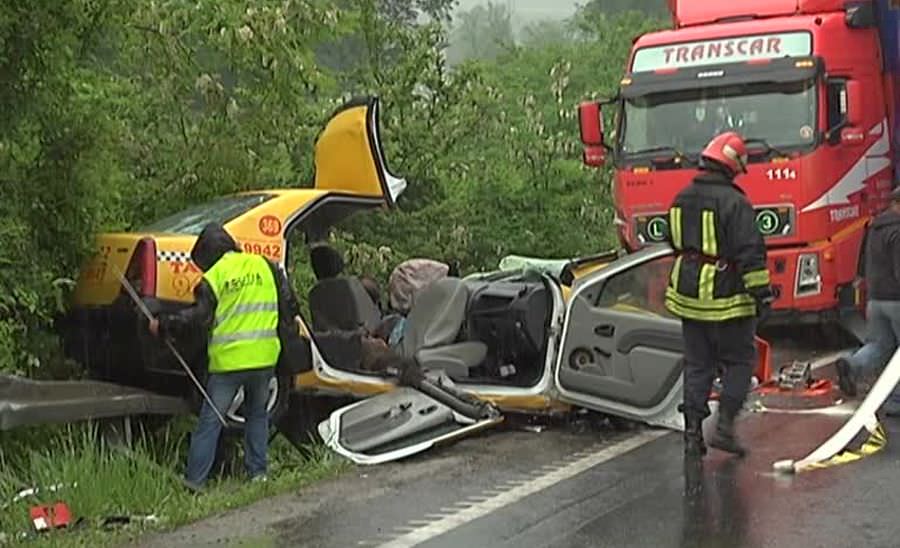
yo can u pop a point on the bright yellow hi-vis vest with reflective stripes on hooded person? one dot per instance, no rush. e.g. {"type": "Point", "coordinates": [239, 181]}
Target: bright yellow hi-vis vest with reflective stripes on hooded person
{"type": "Point", "coordinates": [245, 328]}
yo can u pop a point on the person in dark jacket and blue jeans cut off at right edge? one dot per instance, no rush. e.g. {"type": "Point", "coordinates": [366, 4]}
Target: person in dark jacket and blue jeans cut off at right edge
{"type": "Point", "coordinates": [882, 272]}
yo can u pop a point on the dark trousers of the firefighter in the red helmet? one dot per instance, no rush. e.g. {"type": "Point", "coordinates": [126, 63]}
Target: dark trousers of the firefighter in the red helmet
{"type": "Point", "coordinates": [708, 346]}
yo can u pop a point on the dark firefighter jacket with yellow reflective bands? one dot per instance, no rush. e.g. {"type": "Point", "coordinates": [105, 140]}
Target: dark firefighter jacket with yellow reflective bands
{"type": "Point", "coordinates": [720, 266]}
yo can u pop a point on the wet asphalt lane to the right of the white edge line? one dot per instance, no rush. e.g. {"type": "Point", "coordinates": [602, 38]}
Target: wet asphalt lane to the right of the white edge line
{"type": "Point", "coordinates": [651, 498]}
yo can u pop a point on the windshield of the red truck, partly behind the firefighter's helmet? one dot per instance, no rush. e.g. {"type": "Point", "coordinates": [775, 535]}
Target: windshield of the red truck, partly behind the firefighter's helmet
{"type": "Point", "coordinates": [783, 115]}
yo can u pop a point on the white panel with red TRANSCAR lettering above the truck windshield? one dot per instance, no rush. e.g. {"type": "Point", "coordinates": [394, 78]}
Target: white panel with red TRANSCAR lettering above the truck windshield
{"type": "Point", "coordinates": [729, 50]}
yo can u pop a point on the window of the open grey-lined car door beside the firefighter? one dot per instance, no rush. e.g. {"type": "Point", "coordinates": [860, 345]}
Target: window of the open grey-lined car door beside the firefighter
{"type": "Point", "coordinates": [639, 290]}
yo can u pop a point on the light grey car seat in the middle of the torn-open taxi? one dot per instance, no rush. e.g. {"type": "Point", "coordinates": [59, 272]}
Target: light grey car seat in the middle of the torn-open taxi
{"type": "Point", "coordinates": [433, 327]}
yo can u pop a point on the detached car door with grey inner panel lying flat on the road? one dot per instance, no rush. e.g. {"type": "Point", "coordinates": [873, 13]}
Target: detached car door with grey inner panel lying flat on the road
{"type": "Point", "coordinates": [404, 422]}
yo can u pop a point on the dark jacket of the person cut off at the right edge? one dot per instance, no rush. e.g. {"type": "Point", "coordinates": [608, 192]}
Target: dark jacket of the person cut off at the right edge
{"type": "Point", "coordinates": [883, 257]}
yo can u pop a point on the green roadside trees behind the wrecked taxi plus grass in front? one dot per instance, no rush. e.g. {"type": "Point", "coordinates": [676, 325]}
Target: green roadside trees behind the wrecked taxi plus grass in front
{"type": "Point", "coordinates": [115, 113]}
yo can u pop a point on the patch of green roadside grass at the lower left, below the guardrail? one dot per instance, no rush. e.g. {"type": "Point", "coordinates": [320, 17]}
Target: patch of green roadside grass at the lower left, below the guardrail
{"type": "Point", "coordinates": [138, 481]}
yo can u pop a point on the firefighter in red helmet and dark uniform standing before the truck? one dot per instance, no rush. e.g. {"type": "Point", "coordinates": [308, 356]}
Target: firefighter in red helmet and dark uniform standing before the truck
{"type": "Point", "coordinates": [719, 286]}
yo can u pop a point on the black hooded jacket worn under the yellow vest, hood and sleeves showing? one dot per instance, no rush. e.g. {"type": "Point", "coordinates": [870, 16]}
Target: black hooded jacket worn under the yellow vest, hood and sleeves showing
{"type": "Point", "coordinates": [213, 242]}
